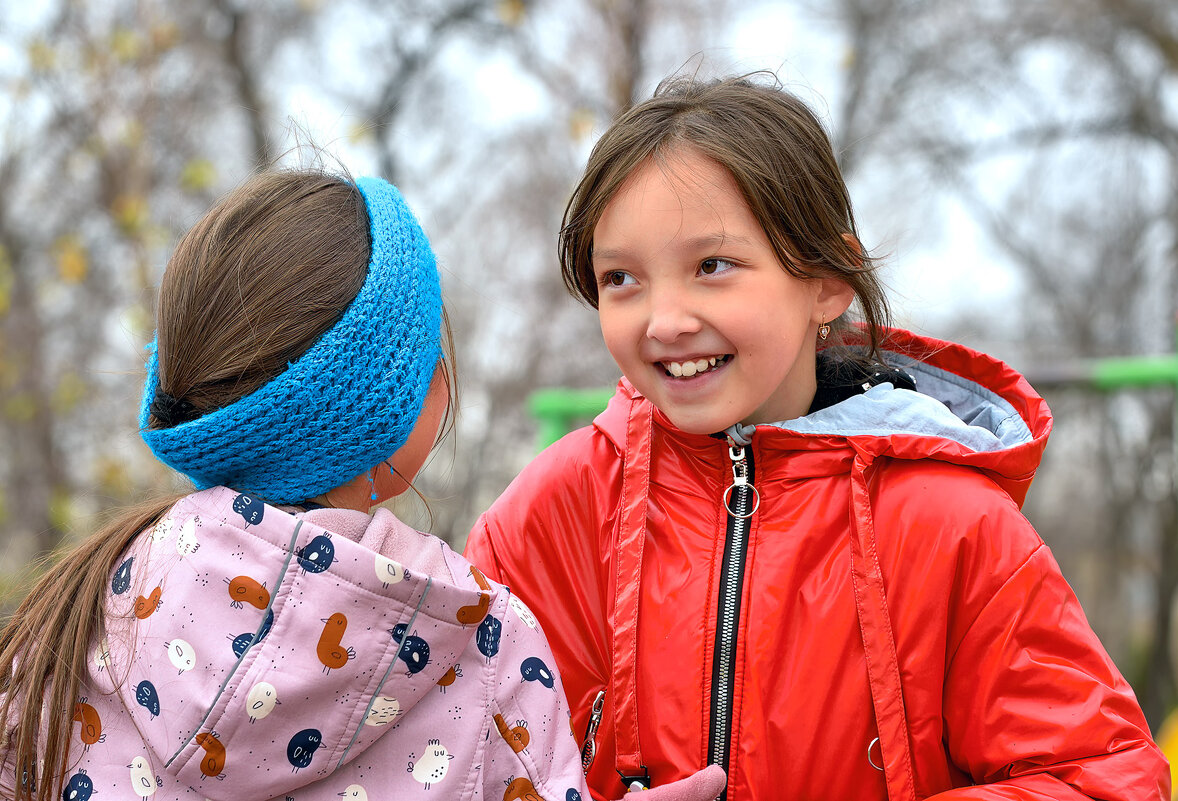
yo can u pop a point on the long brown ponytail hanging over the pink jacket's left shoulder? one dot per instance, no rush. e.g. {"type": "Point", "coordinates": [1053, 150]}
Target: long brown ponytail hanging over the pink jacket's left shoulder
{"type": "Point", "coordinates": [45, 653]}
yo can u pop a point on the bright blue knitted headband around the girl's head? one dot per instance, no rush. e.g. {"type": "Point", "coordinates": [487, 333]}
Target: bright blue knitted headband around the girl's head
{"type": "Point", "coordinates": [348, 403]}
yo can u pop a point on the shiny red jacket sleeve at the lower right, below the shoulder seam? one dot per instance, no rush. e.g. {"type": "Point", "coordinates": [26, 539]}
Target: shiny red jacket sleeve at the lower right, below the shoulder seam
{"type": "Point", "coordinates": [1036, 710]}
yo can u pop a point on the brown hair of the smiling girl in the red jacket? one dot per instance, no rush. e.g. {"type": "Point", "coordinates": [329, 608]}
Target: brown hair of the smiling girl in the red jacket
{"type": "Point", "coordinates": [782, 158]}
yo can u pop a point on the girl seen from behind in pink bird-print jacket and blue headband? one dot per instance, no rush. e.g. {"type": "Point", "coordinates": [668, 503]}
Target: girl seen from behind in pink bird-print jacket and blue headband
{"type": "Point", "coordinates": [267, 637]}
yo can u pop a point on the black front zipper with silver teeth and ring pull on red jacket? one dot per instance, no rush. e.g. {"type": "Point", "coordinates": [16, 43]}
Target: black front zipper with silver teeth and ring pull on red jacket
{"type": "Point", "coordinates": [742, 502]}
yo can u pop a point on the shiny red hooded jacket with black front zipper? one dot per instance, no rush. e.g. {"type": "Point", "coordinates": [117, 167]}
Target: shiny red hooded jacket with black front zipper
{"type": "Point", "coordinates": [885, 605]}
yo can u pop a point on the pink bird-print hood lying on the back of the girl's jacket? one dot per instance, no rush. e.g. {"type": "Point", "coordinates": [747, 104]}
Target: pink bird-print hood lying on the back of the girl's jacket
{"type": "Point", "coordinates": [249, 643]}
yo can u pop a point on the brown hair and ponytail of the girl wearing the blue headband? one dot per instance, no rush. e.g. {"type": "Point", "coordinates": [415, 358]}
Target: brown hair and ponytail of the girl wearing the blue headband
{"type": "Point", "coordinates": [250, 288]}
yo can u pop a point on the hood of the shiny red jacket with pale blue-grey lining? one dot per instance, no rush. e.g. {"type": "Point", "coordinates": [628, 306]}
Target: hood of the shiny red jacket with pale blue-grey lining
{"type": "Point", "coordinates": [969, 409]}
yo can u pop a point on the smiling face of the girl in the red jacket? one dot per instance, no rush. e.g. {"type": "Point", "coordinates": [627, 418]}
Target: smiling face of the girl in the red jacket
{"type": "Point", "coordinates": [694, 306]}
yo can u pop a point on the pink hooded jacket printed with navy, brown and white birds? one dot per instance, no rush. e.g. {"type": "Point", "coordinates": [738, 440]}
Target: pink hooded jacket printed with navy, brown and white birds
{"type": "Point", "coordinates": [281, 660]}
